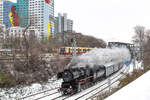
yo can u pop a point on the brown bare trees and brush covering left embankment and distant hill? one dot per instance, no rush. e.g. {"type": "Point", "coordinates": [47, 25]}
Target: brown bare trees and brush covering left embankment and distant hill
{"type": "Point", "coordinates": [29, 64]}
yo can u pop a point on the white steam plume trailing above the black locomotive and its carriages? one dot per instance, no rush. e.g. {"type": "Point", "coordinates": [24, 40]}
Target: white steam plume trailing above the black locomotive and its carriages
{"type": "Point", "coordinates": [101, 56]}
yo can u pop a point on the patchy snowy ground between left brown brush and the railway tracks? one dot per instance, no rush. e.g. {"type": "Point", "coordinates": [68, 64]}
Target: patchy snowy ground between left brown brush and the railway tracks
{"type": "Point", "coordinates": [16, 93]}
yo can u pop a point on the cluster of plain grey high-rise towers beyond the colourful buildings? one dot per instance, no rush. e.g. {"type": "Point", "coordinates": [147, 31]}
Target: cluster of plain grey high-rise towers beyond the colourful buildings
{"type": "Point", "coordinates": [63, 24]}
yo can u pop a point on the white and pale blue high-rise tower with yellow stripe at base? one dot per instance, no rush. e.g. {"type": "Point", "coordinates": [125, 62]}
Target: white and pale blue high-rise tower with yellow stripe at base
{"type": "Point", "coordinates": [41, 13]}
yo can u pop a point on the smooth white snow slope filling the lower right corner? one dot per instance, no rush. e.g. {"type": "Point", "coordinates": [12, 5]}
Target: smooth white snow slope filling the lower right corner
{"type": "Point", "coordinates": [136, 90]}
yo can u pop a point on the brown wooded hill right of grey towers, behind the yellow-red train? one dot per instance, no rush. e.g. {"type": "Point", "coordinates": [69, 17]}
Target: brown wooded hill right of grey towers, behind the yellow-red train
{"type": "Point", "coordinates": [81, 40]}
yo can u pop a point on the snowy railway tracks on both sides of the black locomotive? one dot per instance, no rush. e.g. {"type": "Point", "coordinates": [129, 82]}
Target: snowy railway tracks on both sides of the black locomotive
{"type": "Point", "coordinates": [86, 95]}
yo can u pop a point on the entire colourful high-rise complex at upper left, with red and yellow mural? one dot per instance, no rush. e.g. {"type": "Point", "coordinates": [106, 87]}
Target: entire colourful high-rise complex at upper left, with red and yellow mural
{"type": "Point", "coordinates": [38, 14]}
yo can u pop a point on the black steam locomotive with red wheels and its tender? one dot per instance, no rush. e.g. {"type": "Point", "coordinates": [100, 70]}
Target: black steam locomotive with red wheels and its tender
{"type": "Point", "coordinates": [75, 79]}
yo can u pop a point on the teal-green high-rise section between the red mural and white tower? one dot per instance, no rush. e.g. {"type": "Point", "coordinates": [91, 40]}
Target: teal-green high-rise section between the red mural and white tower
{"type": "Point", "coordinates": [22, 10]}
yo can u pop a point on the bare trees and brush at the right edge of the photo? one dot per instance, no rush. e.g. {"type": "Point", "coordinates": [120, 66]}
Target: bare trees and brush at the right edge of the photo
{"type": "Point", "coordinates": [142, 39]}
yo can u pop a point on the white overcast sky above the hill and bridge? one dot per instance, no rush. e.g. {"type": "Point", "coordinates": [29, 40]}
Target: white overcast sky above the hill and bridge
{"type": "Point", "coordinates": [111, 20]}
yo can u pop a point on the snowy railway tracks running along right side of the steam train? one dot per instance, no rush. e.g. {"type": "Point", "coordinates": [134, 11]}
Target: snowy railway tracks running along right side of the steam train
{"type": "Point", "coordinates": [96, 90]}
